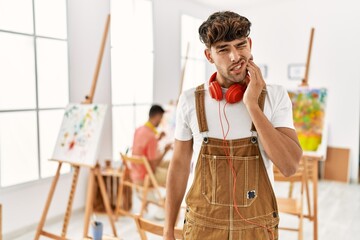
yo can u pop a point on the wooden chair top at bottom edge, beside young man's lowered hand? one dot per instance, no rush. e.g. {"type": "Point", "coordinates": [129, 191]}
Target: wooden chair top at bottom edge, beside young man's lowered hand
{"type": "Point", "coordinates": [144, 226]}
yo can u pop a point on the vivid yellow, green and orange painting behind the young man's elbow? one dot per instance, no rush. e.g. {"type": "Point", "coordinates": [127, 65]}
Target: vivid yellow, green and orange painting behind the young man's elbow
{"type": "Point", "coordinates": [309, 105]}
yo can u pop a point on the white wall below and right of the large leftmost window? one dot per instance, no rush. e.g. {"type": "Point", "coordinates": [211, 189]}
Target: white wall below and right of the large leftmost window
{"type": "Point", "coordinates": [23, 205]}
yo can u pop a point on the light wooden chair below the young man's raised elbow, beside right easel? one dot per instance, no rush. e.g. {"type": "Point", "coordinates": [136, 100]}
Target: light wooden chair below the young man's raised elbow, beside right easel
{"type": "Point", "coordinates": [291, 205]}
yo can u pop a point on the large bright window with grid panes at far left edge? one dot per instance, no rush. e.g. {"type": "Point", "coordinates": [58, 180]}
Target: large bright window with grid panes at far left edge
{"type": "Point", "coordinates": [34, 87]}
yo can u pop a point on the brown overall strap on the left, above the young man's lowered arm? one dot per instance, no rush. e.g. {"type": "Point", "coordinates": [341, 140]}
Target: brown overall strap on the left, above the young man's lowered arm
{"type": "Point", "coordinates": [200, 108]}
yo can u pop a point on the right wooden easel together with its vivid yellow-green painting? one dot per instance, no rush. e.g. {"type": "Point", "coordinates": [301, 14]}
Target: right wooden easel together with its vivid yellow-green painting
{"type": "Point", "coordinates": [309, 115]}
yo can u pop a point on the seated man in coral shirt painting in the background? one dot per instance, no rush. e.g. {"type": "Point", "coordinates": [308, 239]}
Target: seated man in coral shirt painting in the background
{"type": "Point", "coordinates": [145, 144]}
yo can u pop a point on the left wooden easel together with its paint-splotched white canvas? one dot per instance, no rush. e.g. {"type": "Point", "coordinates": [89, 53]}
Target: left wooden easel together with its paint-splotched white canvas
{"type": "Point", "coordinates": [77, 144]}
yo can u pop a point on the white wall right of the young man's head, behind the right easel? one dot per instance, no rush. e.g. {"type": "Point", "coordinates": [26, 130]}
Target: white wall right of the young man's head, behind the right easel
{"type": "Point", "coordinates": [280, 36]}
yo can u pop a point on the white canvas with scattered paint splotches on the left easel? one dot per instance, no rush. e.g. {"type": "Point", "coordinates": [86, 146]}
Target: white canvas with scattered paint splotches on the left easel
{"type": "Point", "coordinates": [80, 134]}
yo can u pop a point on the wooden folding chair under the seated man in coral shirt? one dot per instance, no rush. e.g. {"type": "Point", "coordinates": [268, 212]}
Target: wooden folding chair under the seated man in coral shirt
{"type": "Point", "coordinates": [150, 184]}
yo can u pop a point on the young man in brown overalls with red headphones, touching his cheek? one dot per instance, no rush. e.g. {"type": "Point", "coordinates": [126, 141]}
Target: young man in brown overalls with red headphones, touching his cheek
{"type": "Point", "coordinates": [233, 128]}
